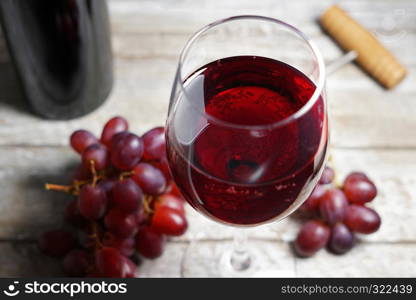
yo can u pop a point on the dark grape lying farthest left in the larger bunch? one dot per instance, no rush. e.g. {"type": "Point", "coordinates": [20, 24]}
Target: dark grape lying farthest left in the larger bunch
{"type": "Point", "coordinates": [56, 242]}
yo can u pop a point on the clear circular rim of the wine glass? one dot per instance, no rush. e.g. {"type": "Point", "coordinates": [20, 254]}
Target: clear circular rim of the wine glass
{"type": "Point", "coordinates": [315, 96]}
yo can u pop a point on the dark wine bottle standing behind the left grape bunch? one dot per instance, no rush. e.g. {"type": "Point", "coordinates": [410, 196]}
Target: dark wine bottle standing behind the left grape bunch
{"type": "Point", "coordinates": [62, 53]}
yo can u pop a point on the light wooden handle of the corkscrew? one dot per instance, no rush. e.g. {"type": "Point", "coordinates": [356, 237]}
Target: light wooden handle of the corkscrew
{"type": "Point", "coordinates": [372, 56]}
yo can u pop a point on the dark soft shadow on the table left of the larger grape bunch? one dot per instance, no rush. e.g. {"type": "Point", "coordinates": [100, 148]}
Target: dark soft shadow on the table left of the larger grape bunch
{"type": "Point", "coordinates": [38, 210]}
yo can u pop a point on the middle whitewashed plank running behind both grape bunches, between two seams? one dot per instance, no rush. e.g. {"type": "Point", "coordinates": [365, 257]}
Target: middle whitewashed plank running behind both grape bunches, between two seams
{"type": "Point", "coordinates": [27, 209]}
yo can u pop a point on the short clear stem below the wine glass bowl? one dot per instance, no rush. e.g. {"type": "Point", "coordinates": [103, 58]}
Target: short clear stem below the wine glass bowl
{"type": "Point", "coordinates": [240, 257]}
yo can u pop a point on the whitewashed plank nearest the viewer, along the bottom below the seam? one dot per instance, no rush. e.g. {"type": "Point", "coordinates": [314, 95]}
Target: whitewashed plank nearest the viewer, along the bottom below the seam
{"type": "Point", "coordinates": [276, 259]}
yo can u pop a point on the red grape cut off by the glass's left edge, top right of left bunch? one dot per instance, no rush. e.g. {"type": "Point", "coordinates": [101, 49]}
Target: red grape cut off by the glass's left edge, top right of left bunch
{"type": "Point", "coordinates": [154, 144]}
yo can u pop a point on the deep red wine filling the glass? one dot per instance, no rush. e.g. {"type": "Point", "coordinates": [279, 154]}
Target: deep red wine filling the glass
{"type": "Point", "coordinates": [257, 169]}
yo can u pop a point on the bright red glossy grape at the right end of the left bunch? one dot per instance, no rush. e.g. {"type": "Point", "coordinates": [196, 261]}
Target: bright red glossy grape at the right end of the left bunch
{"type": "Point", "coordinates": [168, 221]}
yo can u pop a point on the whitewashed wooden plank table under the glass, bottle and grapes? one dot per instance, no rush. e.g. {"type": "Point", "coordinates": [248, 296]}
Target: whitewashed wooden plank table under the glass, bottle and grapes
{"type": "Point", "coordinates": [372, 130]}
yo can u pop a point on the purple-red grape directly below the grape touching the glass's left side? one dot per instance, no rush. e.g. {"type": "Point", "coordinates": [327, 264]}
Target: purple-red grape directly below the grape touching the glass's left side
{"type": "Point", "coordinates": [149, 178]}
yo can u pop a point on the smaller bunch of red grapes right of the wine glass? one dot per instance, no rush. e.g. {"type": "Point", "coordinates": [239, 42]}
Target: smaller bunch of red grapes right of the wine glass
{"type": "Point", "coordinates": [337, 214]}
